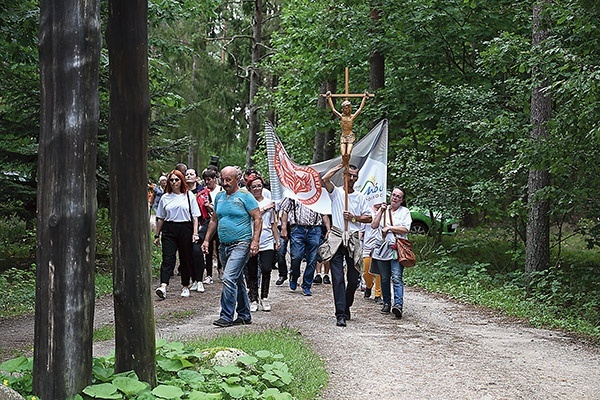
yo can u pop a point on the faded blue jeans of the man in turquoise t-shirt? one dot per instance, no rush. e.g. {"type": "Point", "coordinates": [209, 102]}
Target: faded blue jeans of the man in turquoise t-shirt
{"type": "Point", "coordinates": [233, 257]}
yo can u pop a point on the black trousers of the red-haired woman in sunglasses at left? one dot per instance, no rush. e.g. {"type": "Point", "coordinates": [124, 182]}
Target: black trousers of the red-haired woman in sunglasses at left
{"type": "Point", "coordinates": [177, 237]}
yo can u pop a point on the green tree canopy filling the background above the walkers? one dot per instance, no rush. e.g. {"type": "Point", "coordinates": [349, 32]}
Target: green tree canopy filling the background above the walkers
{"type": "Point", "coordinates": [458, 79]}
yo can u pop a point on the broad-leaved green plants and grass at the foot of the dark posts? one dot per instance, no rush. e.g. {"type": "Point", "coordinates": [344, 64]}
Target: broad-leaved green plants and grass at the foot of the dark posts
{"type": "Point", "coordinates": [186, 371]}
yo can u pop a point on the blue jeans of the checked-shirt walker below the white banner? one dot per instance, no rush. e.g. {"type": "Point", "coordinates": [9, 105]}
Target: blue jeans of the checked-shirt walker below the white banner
{"type": "Point", "coordinates": [304, 243]}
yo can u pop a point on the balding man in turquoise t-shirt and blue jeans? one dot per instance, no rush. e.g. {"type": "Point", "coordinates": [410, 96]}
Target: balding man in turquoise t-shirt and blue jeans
{"type": "Point", "coordinates": [238, 221]}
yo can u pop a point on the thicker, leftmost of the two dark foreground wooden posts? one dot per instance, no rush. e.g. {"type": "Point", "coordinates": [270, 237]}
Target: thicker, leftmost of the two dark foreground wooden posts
{"type": "Point", "coordinates": [69, 53]}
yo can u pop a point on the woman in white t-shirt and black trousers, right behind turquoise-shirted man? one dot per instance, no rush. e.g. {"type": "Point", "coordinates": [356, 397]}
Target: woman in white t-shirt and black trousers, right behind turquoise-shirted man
{"type": "Point", "coordinates": [267, 250]}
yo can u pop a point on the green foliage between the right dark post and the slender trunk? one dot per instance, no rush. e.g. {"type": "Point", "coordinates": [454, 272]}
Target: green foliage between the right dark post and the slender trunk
{"type": "Point", "coordinates": [198, 96]}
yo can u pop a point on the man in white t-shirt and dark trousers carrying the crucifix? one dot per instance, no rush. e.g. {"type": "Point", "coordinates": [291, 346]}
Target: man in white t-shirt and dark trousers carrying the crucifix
{"type": "Point", "coordinates": [345, 242]}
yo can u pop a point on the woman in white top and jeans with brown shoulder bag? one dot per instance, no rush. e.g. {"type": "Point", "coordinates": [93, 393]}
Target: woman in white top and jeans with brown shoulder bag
{"type": "Point", "coordinates": [392, 221]}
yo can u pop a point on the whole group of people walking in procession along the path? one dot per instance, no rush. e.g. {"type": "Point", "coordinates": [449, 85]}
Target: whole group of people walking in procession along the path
{"type": "Point", "coordinates": [253, 234]}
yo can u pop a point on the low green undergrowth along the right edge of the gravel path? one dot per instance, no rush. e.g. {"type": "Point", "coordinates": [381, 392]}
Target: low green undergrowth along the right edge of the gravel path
{"type": "Point", "coordinates": [482, 269]}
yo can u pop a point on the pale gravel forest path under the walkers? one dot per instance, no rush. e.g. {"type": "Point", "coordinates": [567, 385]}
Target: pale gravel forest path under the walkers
{"type": "Point", "coordinates": [440, 349]}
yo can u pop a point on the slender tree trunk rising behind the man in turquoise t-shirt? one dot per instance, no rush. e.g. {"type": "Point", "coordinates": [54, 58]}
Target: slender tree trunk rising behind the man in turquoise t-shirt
{"type": "Point", "coordinates": [253, 122]}
